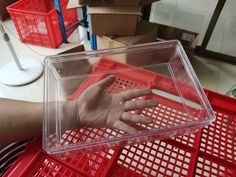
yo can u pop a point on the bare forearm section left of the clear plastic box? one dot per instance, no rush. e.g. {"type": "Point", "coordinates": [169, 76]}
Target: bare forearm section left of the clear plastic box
{"type": "Point", "coordinates": [20, 120]}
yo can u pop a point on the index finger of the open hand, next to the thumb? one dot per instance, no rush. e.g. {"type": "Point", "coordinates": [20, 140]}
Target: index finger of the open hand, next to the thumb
{"type": "Point", "coordinates": [131, 94]}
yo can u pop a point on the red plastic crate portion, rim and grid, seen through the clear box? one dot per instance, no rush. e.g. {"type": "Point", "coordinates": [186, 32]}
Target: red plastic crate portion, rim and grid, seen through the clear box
{"type": "Point", "coordinates": [169, 113]}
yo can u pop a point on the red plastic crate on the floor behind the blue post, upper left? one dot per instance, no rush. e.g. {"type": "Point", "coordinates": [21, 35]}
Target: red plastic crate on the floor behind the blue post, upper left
{"type": "Point", "coordinates": [37, 23]}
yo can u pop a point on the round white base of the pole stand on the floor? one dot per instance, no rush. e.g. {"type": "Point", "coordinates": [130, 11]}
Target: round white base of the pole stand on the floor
{"type": "Point", "coordinates": [11, 75]}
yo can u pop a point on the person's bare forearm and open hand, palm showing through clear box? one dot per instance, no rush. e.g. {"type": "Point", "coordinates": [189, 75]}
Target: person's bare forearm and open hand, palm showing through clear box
{"type": "Point", "coordinates": [95, 108]}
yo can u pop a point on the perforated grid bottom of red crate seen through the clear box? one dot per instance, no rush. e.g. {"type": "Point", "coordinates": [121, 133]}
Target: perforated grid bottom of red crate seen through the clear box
{"type": "Point", "coordinates": [163, 116]}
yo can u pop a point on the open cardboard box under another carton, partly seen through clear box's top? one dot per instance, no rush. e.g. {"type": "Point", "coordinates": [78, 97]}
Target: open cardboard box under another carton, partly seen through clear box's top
{"type": "Point", "coordinates": [146, 32]}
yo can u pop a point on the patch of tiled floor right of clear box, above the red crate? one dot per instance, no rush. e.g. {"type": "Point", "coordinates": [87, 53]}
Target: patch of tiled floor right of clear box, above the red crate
{"type": "Point", "coordinates": [214, 75]}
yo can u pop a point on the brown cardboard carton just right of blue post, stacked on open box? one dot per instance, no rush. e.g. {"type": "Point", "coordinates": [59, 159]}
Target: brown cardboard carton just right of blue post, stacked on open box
{"type": "Point", "coordinates": [113, 20]}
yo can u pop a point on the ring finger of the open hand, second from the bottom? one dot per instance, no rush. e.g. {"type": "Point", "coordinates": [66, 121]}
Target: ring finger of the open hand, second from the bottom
{"type": "Point", "coordinates": [126, 116]}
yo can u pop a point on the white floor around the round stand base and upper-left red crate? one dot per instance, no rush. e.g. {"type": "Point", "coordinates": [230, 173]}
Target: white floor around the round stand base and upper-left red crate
{"type": "Point", "coordinates": [27, 92]}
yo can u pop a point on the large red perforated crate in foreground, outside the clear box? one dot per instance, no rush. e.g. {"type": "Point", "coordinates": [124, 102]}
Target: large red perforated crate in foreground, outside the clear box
{"type": "Point", "coordinates": [209, 152]}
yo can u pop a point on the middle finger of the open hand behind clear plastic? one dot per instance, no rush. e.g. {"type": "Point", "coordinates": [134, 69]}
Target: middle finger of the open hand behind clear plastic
{"type": "Point", "coordinates": [139, 104]}
